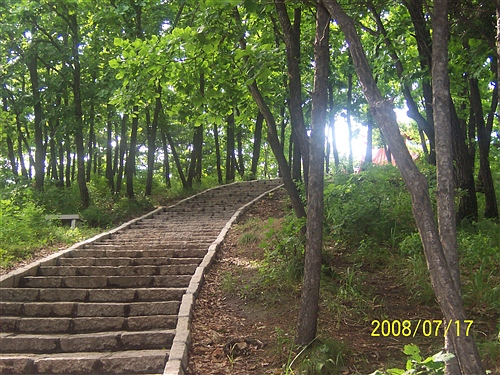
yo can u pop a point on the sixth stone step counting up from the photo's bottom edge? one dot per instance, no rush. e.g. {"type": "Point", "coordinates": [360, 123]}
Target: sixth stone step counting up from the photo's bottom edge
{"type": "Point", "coordinates": [98, 282]}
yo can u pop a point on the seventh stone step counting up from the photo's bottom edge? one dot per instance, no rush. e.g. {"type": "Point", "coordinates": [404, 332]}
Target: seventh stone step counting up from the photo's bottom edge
{"type": "Point", "coordinates": [141, 270]}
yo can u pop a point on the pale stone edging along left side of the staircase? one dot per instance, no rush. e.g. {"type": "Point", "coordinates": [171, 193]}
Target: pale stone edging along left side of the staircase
{"type": "Point", "coordinates": [12, 278]}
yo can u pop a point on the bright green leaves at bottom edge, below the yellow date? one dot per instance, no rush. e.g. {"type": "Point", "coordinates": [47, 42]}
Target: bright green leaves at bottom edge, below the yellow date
{"type": "Point", "coordinates": [433, 365]}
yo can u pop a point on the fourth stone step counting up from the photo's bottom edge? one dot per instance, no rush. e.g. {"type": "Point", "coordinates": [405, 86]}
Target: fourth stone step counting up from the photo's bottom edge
{"type": "Point", "coordinates": [84, 309]}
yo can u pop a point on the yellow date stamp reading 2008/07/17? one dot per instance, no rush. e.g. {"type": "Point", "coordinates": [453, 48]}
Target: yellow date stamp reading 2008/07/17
{"type": "Point", "coordinates": [428, 327]}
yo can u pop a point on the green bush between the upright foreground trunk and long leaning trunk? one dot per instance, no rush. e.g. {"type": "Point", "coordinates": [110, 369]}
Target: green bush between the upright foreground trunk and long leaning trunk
{"type": "Point", "coordinates": [372, 205]}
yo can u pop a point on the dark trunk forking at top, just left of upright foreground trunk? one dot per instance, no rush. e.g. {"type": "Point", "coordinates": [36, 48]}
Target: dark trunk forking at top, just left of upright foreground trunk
{"type": "Point", "coordinates": [291, 35]}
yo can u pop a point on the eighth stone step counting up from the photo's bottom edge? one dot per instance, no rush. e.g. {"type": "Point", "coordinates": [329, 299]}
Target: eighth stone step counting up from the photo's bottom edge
{"type": "Point", "coordinates": [121, 261]}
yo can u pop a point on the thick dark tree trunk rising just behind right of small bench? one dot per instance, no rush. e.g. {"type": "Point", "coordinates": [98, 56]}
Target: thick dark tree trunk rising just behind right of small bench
{"type": "Point", "coordinates": [80, 152]}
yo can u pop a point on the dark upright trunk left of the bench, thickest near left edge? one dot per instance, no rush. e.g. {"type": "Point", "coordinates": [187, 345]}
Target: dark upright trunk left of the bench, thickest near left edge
{"type": "Point", "coordinates": [32, 64]}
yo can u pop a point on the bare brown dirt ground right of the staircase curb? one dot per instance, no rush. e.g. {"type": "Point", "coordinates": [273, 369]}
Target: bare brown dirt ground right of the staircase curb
{"type": "Point", "coordinates": [234, 332]}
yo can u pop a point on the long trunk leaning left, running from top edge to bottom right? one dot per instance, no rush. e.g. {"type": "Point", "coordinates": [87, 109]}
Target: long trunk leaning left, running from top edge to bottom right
{"type": "Point", "coordinates": [442, 281]}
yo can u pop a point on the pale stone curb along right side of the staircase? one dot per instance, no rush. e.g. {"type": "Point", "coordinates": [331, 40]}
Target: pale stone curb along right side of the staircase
{"type": "Point", "coordinates": [179, 353]}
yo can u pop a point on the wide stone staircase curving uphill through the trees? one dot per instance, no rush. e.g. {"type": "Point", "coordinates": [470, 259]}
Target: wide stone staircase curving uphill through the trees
{"type": "Point", "coordinates": [110, 305]}
